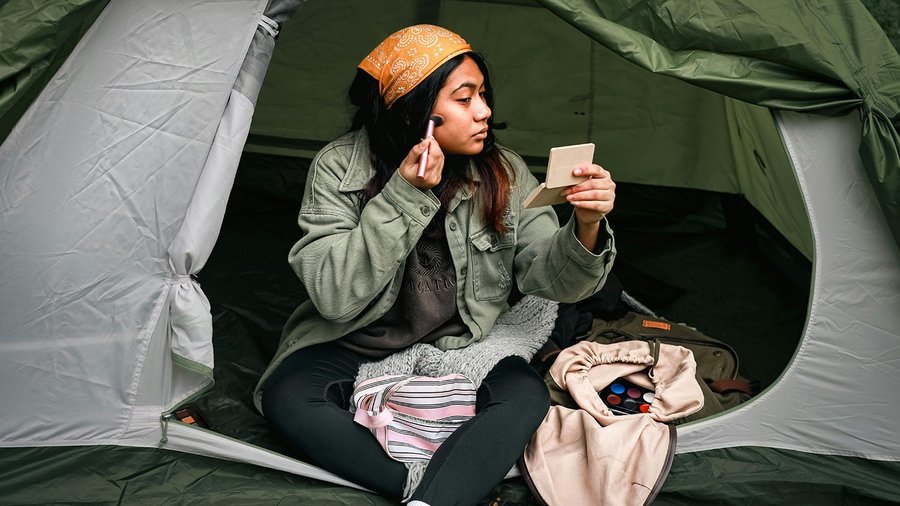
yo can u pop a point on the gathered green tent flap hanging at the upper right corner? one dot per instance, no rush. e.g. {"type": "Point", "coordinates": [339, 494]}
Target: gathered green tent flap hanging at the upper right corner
{"type": "Point", "coordinates": [819, 56]}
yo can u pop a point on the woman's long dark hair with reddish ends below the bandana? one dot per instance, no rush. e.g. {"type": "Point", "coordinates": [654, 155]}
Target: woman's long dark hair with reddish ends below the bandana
{"type": "Point", "coordinates": [394, 131]}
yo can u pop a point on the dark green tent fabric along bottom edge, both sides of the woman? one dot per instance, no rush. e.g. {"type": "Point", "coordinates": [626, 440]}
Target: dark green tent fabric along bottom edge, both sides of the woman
{"type": "Point", "coordinates": [121, 475]}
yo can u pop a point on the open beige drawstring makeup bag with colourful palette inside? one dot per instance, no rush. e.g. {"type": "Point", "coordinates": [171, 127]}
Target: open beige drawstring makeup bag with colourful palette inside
{"type": "Point", "coordinates": [591, 455]}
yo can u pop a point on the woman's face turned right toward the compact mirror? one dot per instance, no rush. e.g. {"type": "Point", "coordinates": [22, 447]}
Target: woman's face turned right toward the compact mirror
{"type": "Point", "coordinates": [461, 103]}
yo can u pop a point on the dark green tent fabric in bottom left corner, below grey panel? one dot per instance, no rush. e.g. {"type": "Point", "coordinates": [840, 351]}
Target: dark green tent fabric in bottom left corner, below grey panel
{"type": "Point", "coordinates": [95, 475]}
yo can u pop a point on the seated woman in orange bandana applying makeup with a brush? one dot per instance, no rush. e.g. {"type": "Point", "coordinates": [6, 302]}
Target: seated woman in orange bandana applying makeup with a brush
{"type": "Point", "coordinates": [390, 259]}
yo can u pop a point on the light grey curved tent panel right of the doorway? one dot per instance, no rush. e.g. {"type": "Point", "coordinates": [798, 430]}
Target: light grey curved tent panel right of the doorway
{"type": "Point", "coordinates": [849, 316]}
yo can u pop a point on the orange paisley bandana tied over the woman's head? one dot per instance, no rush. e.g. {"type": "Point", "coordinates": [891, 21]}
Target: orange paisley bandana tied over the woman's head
{"type": "Point", "coordinates": [407, 57]}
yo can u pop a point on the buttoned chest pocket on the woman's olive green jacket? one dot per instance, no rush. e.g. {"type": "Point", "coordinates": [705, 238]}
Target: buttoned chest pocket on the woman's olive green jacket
{"type": "Point", "coordinates": [491, 259]}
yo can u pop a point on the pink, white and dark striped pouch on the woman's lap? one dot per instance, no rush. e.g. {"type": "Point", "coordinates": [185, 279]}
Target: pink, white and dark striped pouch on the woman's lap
{"type": "Point", "coordinates": [412, 415]}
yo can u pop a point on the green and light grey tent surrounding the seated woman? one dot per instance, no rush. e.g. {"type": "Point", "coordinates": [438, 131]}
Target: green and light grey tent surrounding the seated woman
{"type": "Point", "coordinates": [153, 159]}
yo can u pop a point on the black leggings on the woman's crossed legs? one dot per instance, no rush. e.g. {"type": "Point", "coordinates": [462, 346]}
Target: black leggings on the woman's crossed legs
{"type": "Point", "coordinates": [307, 398]}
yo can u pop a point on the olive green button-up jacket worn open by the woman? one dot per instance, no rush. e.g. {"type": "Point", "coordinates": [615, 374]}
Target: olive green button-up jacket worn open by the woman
{"type": "Point", "coordinates": [351, 261]}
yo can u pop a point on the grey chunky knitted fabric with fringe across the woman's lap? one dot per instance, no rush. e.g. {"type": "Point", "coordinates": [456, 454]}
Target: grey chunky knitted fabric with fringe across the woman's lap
{"type": "Point", "coordinates": [519, 332]}
